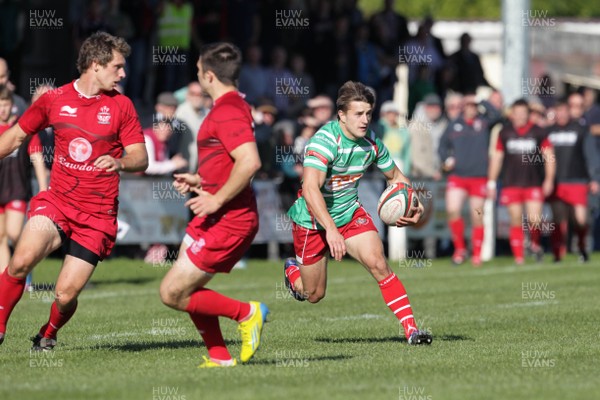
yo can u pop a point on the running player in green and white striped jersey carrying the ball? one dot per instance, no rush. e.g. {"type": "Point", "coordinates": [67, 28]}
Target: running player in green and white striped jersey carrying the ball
{"type": "Point", "coordinates": [329, 216]}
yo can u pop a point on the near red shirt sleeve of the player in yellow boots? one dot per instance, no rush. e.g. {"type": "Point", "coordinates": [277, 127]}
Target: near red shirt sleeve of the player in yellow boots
{"type": "Point", "coordinates": [235, 129]}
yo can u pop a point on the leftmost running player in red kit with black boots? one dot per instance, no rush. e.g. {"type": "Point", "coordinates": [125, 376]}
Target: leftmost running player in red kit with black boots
{"type": "Point", "coordinates": [94, 126]}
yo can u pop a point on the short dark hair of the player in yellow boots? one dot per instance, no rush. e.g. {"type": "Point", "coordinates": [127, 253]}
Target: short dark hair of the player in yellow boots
{"type": "Point", "coordinates": [222, 59]}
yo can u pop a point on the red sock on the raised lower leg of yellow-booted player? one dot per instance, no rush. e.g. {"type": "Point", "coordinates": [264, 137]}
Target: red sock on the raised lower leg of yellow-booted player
{"type": "Point", "coordinates": [210, 303]}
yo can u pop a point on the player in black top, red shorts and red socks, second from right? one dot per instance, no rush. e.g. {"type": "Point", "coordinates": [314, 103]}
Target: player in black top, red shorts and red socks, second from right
{"type": "Point", "coordinates": [526, 159]}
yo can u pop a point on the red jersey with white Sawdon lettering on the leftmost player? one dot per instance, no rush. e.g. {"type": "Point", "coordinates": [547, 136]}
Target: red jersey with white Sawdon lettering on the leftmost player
{"type": "Point", "coordinates": [85, 128]}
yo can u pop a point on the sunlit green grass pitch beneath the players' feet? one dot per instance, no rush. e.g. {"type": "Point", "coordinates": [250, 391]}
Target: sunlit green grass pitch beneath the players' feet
{"type": "Point", "coordinates": [500, 332]}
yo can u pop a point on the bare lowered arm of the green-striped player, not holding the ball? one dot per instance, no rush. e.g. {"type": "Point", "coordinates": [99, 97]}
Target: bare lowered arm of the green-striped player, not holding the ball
{"type": "Point", "coordinates": [312, 181]}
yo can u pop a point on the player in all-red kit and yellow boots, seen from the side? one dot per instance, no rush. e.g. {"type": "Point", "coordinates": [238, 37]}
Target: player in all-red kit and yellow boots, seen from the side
{"type": "Point", "coordinates": [226, 217]}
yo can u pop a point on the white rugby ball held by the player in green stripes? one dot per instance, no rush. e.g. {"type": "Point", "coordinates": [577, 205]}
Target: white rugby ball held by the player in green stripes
{"type": "Point", "coordinates": [396, 201]}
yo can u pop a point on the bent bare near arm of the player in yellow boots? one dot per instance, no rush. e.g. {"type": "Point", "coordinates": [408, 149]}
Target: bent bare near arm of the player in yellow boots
{"type": "Point", "coordinates": [245, 164]}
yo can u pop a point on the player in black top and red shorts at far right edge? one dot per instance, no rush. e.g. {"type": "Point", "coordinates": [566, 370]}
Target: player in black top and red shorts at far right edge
{"type": "Point", "coordinates": [576, 163]}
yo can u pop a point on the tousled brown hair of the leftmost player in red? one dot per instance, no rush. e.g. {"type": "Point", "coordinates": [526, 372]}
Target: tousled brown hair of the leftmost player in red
{"type": "Point", "coordinates": [99, 48]}
